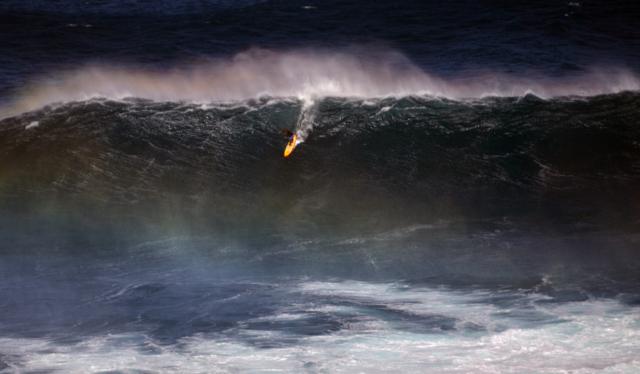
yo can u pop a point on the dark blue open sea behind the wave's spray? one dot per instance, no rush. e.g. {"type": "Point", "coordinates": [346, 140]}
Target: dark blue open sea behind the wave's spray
{"type": "Point", "coordinates": [556, 37]}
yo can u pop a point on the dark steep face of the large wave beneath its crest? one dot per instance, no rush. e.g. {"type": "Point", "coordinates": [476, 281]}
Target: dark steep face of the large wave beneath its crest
{"type": "Point", "coordinates": [379, 161]}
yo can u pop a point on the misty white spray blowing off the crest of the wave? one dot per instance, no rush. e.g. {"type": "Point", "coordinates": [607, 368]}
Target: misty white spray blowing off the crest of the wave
{"type": "Point", "coordinates": [303, 74]}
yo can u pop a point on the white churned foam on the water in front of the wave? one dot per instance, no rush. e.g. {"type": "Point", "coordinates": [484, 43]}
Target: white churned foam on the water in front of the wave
{"type": "Point", "coordinates": [585, 337]}
